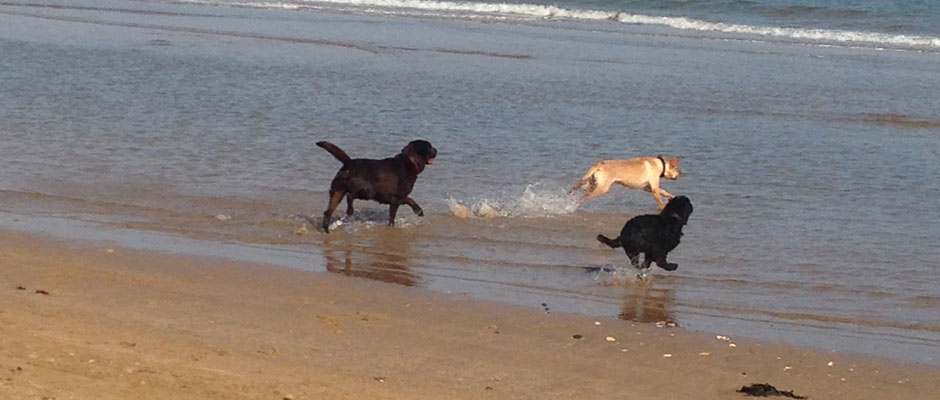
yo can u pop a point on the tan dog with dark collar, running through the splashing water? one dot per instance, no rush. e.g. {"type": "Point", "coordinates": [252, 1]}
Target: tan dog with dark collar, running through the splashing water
{"type": "Point", "coordinates": [635, 173]}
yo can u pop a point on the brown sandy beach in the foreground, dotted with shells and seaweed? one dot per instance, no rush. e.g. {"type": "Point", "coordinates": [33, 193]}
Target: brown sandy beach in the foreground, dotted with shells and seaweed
{"type": "Point", "coordinates": [124, 324]}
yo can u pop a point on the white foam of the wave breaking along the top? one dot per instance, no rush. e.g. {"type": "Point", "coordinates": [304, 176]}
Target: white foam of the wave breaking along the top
{"type": "Point", "coordinates": [536, 11]}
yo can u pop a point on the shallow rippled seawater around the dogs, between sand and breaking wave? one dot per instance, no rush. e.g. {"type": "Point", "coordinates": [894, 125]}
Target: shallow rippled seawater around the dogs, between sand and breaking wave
{"type": "Point", "coordinates": [812, 166]}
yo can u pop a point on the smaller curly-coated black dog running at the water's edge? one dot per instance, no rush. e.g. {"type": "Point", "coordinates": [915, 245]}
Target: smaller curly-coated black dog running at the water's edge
{"type": "Point", "coordinates": [653, 235]}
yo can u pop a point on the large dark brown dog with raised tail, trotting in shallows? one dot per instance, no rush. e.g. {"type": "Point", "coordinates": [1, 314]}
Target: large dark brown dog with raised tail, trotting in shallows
{"type": "Point", "coordinates": [387, 181]}
